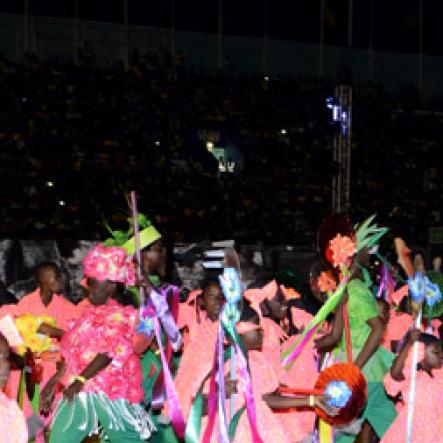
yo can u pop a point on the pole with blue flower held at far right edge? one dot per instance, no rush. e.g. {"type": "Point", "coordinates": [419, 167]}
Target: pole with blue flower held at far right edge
{"type": "Point", "coordinates": [422, 292]}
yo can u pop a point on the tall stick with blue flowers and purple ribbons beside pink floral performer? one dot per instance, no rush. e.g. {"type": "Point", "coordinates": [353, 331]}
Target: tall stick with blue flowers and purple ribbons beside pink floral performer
{"type": "Point", "coordinates": [152, 308]}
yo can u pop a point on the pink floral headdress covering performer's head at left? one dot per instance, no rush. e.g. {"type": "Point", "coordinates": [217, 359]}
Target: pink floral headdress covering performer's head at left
{"type": "Point", "coordinates": [109, 263]}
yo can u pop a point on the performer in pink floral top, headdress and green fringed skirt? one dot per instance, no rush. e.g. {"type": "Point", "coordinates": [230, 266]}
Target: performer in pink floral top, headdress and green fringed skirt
{"type": "Point", "coordinates": [101, 374]}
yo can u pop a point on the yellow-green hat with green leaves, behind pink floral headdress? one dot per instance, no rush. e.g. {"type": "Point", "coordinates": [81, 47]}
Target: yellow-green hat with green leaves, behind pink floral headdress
{"type": "Point", "coordinates": [148, 235]}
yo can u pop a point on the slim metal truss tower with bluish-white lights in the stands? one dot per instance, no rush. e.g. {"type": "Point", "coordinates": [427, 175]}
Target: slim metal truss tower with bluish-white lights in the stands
{"type": "Point", "coordinates": [341, 107]}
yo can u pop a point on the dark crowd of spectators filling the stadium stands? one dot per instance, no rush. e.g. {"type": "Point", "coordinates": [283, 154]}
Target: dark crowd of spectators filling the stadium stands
{"type": "Point", "coordinates": [74, 139]}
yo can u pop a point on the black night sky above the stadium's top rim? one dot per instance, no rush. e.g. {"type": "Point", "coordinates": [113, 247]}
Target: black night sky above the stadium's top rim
{"type": "Point", "coordinates": [395, 21]}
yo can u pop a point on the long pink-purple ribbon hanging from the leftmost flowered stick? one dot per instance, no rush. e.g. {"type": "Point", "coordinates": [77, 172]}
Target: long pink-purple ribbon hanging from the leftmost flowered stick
{"type": "Point", "coordinates": [175, 412]}
